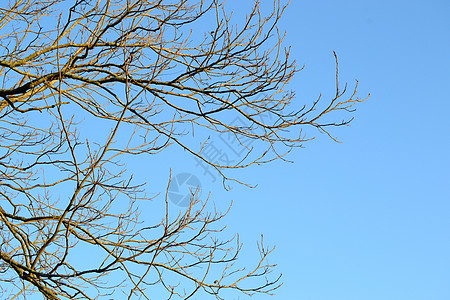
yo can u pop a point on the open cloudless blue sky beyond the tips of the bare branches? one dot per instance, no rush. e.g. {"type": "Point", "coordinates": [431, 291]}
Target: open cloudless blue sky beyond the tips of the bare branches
{"type": "Point", "coordinates": [368, 218]}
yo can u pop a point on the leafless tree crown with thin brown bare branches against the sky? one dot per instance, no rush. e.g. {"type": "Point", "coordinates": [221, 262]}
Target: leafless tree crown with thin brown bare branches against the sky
{"type": "Point", "coordinates": [148, 76]}
